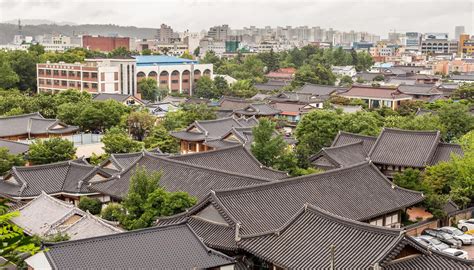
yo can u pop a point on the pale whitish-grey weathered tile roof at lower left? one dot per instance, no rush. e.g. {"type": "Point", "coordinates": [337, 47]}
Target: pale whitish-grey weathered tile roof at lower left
{"type": "Point", "coordinates": [45, 216]}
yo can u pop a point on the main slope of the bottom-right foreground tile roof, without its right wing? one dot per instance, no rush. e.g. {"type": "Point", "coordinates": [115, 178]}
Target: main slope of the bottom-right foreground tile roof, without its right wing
{"type": "Point", "coordinates": [305, 241]}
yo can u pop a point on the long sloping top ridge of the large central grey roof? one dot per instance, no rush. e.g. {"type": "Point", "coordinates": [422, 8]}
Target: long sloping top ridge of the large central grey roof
{"type": "Point", "coordinates": [293, 179]}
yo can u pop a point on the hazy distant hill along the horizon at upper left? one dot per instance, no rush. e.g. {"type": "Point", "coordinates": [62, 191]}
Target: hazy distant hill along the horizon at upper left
{"type": "Point", "coordinates": [9, 30]}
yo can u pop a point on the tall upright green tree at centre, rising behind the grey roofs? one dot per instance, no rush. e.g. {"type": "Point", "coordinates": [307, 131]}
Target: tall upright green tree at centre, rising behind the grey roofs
{"type": "Point", "coordinates": [267, 147]}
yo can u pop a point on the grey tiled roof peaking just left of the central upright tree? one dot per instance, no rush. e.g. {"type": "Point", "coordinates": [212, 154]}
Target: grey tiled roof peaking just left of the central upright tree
{"type": "Point", "coordinates": [235, 159]}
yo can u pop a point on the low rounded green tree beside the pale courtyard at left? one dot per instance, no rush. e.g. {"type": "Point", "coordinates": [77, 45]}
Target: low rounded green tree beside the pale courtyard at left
{"type": "Point", "coordinates": [50, 151]}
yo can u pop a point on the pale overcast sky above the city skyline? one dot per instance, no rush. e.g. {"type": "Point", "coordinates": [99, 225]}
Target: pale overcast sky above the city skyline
{"type": "Point", "coordinates": [375, 16]}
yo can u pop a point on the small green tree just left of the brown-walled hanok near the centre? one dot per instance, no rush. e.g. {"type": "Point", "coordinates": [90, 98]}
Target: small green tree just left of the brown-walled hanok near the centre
{"type": "Point", "coordinates": [160, 137]}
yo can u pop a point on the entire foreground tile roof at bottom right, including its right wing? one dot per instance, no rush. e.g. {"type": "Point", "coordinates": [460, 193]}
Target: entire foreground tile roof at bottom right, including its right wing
{"type": "Point", "coordinates": [305, 243]}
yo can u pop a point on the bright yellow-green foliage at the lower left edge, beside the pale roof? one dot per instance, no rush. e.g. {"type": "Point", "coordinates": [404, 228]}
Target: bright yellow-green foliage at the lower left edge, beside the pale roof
{"type": "Point", "coordinates": [15, 244]}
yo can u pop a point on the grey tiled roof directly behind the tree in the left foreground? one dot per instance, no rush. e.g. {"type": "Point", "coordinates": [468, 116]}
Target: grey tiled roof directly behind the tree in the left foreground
{"type": "Point", "coordinates": [177, 176]}
